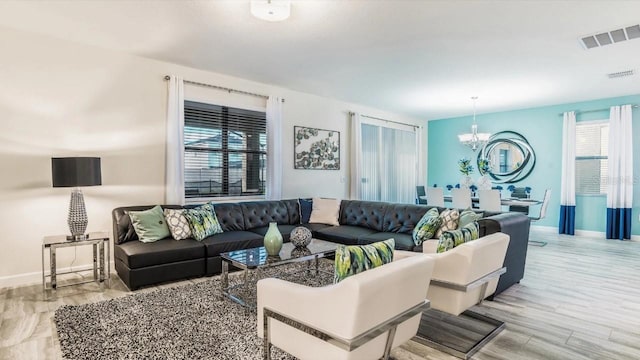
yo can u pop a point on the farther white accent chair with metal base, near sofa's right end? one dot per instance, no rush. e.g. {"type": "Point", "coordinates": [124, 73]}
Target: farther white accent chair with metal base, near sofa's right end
{"type": "Point", "coordinates": [463, 277]}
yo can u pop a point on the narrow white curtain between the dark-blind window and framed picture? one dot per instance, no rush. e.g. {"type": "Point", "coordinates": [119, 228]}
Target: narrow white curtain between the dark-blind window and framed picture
{"type": "Point", "coordinates": [274, 148]}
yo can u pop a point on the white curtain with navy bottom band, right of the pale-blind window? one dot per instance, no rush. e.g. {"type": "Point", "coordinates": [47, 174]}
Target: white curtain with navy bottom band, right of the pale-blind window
{"type": "Point", "coordinates": [620, 174]}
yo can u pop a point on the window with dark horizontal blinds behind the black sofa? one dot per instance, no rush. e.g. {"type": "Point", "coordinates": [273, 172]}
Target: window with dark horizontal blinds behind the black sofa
{"type": "Point", "coordinates": [225, 151]}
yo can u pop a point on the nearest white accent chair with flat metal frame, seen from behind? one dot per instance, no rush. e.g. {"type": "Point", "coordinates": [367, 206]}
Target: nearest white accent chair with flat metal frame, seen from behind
{"type": "Point", "coordinates": [361, 317]}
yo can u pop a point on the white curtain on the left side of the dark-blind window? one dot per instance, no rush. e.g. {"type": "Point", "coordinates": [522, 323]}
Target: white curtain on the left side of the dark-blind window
{"type": "Point", "coordinates": [174, 167]}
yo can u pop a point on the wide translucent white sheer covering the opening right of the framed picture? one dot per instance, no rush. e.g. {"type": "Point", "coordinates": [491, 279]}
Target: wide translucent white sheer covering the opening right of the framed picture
{"type": "Point", "coordinates": [389, 164]}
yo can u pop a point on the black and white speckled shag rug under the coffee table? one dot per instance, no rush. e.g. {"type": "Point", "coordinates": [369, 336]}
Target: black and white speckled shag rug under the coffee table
{"type": "Point", "coordinates": [187, 322]}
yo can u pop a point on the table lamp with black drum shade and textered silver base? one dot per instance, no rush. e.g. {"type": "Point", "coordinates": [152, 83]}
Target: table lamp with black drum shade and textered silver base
{"type": "Point", "coordinates": [76, 172]}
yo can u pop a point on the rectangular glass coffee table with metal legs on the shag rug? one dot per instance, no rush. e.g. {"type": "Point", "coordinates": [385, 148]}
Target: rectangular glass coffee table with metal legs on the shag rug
{"type": "Point", "coordinates": [256, 260]}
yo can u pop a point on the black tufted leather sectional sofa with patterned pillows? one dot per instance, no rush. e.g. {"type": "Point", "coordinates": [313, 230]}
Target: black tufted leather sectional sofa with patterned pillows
{"type": "Point", "coordinates": [244, 224]}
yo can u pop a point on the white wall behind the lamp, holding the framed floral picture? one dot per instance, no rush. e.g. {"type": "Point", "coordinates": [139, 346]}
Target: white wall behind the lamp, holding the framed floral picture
{"type": "Point", "coordinates": [59, 98]}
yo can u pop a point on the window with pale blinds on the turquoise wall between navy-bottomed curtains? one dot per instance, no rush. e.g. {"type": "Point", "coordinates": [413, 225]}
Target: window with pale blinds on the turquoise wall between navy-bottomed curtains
{"type": "Point", "coordinates": [592, 143]}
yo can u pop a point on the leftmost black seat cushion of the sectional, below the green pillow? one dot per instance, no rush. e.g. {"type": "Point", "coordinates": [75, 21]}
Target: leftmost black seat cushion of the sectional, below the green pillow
{"type": "Point", "coordinates": [136, 254]}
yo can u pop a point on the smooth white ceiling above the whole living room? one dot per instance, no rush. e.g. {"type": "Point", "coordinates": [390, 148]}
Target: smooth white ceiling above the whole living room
{"type": "Point", "coordinates": [420, 58]}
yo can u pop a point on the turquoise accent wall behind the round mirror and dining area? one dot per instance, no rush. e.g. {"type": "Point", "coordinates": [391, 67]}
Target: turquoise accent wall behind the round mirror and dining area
{"type": "Point", "coordinates": [543, 129]}
